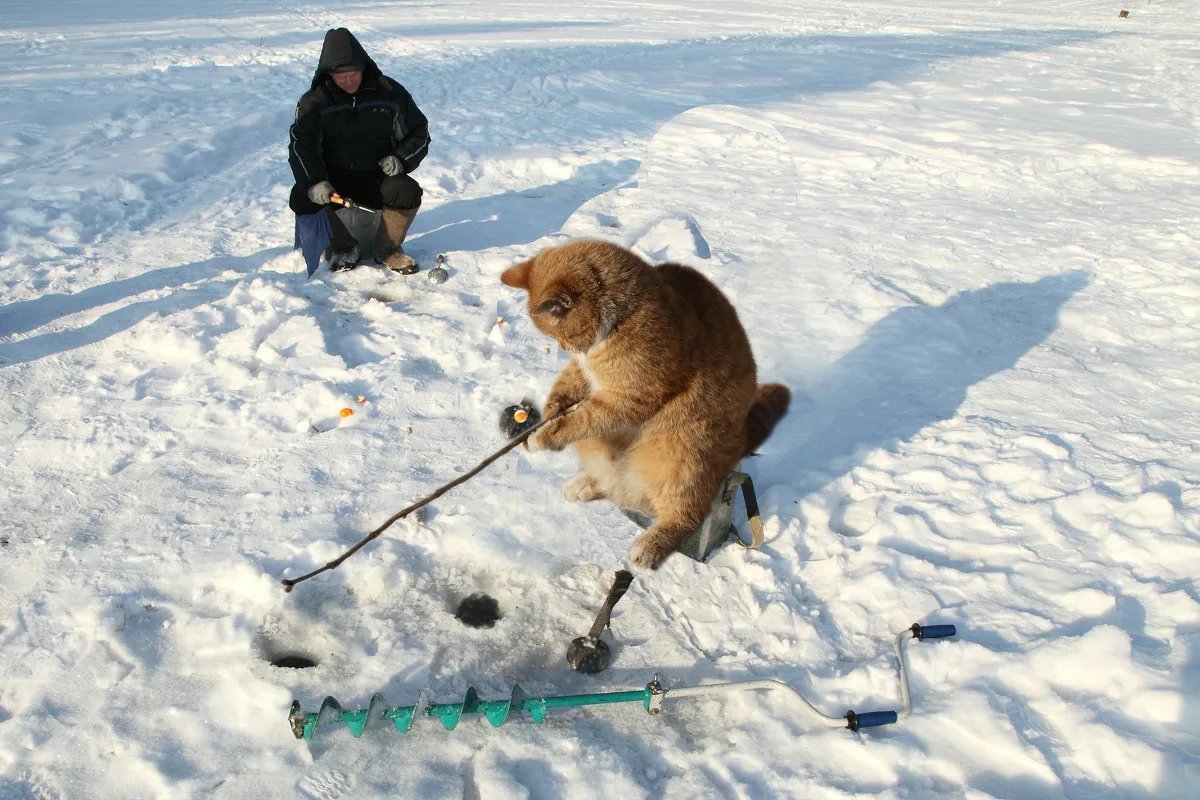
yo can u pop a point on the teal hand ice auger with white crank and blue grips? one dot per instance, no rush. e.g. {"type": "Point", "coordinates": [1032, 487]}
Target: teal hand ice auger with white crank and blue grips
{"type": "Point", "coordinates": [651, 697]}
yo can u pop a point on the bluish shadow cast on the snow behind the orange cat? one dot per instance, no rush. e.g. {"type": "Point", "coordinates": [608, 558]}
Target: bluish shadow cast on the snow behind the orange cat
{"type": "Point", "coordinates": [914, 370]}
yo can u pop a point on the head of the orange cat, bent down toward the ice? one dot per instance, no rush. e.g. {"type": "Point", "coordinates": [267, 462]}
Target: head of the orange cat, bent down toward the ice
{"type": "Point", "coordinates": [580, 292]}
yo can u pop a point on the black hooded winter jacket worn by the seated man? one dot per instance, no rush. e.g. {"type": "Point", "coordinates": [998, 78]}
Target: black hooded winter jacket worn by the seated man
{"type": "Point", "coordinates": [339, 134]}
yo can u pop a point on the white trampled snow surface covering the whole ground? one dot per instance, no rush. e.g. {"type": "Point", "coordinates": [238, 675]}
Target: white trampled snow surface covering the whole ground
{"type": "Point", "coordinates": [964, 234]}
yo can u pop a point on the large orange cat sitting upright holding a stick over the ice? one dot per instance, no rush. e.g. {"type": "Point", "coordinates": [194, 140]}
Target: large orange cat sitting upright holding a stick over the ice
{"type": "Point", "coordinates": [665, 380]}
